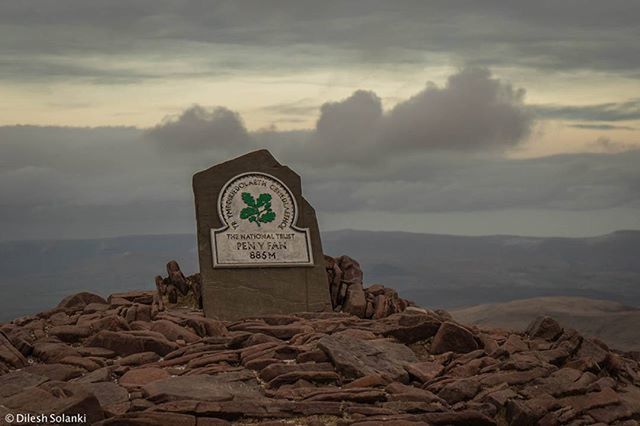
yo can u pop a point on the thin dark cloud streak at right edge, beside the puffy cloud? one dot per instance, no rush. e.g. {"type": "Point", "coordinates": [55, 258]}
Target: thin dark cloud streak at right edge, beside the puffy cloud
{"type": "Point", "coordinates": [610, 111]}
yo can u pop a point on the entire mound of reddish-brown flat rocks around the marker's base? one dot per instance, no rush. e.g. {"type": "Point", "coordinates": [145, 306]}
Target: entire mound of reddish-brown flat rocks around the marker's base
{"type": "Point", "coordinates": [139, 358]}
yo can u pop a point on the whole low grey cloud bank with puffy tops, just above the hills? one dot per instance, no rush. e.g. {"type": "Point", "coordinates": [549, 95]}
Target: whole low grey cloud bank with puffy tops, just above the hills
{"type": "Point", "coordinates": [439, 151]}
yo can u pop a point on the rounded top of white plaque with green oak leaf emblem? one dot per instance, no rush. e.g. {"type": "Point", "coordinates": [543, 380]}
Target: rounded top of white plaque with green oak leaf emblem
{"type": "Point", "coordinates": [257, 202]}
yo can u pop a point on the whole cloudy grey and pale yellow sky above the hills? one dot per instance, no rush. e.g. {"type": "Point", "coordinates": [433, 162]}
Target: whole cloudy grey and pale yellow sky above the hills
{"type": "Point", "coordinates": [462, 117]}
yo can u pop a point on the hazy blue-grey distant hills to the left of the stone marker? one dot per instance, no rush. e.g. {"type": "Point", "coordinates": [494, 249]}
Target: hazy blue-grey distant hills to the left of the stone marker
{"type": "Point", "coordinates": [36, 275]}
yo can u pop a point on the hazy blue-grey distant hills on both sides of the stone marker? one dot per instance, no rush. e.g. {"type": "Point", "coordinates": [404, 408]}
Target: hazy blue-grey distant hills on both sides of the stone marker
{"type": "Point", "coordinates": [433, 270]}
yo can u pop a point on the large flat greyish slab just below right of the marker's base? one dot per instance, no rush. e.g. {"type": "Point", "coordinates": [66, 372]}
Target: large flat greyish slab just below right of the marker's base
{"type": "Point", "coordinates": [355, 358]}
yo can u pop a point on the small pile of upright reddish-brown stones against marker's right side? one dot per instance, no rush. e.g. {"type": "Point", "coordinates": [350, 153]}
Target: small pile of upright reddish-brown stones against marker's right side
{"type": "Point", "coordinates": [348, 293]}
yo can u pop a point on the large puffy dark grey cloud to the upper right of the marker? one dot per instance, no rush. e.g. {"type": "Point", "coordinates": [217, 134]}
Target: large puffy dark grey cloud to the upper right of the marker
{"type": "Point", "coordinates": [472, 111]}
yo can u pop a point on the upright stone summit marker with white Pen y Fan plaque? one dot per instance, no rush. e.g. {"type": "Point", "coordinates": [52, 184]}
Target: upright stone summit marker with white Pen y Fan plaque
{"type": "Point", "coordinates": [258, 240]}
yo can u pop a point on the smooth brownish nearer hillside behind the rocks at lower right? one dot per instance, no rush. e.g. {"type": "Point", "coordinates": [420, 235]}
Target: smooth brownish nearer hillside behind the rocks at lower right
{"type": "Point", "coordinates": [611, 322]}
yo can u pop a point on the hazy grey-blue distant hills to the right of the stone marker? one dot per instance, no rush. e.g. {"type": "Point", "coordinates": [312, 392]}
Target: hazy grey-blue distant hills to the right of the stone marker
{"type": "Point", "coordinates": [455, 271]}
